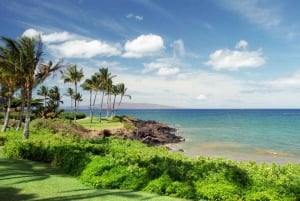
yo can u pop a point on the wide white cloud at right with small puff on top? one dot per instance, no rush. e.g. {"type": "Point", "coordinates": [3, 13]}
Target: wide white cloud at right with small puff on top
{"type": "Point", "coordinates": [226, 59]}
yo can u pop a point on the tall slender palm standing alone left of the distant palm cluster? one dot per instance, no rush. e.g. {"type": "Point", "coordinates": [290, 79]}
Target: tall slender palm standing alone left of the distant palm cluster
{"type": "Point", "coordinates": [72, 75]}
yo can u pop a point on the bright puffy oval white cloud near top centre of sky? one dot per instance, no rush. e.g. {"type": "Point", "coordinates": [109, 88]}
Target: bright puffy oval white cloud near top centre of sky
{"type": "Point", "coordinates": [144, 45]}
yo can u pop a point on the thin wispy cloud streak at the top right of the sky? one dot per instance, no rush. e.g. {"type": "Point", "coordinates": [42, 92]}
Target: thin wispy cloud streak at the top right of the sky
{"type": "Point", "coordinates": [253, 11]}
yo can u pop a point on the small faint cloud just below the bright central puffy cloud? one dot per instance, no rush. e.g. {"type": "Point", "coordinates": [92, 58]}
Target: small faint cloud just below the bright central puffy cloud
{"type": "Point", "coordinates": [163, 66]}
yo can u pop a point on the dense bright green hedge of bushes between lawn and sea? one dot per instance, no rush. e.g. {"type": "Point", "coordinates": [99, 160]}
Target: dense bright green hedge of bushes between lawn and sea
{"type": "Point", "coordinates": [126, 164]}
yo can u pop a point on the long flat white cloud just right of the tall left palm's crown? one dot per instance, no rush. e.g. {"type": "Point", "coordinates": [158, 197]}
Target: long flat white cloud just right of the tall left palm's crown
{"type": "Point", "coordinates": [84, 49]}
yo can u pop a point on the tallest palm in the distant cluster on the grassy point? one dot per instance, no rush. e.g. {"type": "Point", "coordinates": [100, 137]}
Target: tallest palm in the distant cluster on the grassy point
{"type": "Point", "coordinates": [105, 79]}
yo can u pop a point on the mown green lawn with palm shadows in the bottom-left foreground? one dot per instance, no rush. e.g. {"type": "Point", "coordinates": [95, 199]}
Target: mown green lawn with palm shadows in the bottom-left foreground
{"type": "Point", "coordinates": [27, 180]}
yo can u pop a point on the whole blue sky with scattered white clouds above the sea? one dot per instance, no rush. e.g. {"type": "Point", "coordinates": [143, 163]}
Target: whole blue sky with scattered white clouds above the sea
{"type": "Point", "coordinates": [184, 53]}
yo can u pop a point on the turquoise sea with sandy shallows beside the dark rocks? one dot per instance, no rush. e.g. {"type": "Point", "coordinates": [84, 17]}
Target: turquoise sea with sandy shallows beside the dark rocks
{"type": "Point", "coordinates": [261, 135]}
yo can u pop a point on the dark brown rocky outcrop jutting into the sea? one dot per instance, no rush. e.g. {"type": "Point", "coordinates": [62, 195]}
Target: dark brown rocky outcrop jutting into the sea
{"type": "Point", "coordinates": [150, 132]}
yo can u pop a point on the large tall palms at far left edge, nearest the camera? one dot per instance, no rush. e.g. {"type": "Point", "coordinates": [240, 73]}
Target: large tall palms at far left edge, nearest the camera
{"type": "Point", "coordinates": [21, 63]}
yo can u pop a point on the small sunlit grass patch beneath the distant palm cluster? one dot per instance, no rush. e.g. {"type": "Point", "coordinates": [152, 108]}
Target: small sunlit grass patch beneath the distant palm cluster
{"type": "Point", "coordinates": [106, 123]}
